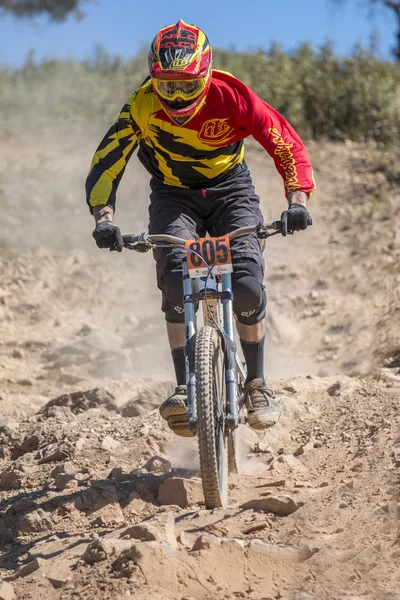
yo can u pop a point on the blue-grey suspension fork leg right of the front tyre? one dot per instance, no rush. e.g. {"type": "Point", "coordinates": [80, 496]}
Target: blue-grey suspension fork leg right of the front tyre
{"type": "Point", "coordinates": [232, 415]}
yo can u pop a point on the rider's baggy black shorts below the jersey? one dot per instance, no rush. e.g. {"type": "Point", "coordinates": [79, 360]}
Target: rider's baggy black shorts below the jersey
{"type": "Point", "coordinates": [216, 210]}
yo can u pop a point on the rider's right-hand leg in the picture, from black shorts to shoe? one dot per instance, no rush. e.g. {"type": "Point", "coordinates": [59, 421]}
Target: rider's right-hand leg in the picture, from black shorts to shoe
{"type": "Point", "coordinates": [235, 204]}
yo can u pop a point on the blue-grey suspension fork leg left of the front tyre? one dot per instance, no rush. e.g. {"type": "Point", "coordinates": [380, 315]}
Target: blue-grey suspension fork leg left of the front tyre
{"type": "Point", "coordinates": [190, 331]}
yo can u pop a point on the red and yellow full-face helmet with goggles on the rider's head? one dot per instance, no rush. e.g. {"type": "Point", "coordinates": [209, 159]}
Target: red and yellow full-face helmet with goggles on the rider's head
{"type": "Point", "coordinates": [180, 69]}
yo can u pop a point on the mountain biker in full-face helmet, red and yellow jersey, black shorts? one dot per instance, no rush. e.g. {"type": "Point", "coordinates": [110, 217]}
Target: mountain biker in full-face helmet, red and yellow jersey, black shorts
{"type": "Point", "coordinates": [189, 122]}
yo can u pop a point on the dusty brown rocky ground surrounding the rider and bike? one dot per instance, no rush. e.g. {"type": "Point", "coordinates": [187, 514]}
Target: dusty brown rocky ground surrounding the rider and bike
{"type": "Point", "coordinates": [84, 455]}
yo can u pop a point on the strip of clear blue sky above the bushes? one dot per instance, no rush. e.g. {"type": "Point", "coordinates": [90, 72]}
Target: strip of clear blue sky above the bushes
{"type": "Point", "coordinates": [124, 26]}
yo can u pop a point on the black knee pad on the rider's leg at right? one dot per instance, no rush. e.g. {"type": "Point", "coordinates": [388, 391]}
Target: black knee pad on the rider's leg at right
{"type": "Point", "coordinates": [250, 300]}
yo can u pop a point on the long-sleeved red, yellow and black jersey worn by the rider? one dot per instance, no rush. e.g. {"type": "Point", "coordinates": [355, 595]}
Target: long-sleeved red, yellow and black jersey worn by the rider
{"type": "Point", "coordinates": [202, 151]}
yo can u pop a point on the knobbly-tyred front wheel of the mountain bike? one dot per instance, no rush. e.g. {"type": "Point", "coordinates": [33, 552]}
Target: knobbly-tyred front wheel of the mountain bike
{"type": "Point", "coordinates": [210, 397]}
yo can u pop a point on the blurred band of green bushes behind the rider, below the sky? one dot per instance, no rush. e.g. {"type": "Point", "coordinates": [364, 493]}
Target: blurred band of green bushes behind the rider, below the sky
{"type": "Point", "coordinates": [323, 95]}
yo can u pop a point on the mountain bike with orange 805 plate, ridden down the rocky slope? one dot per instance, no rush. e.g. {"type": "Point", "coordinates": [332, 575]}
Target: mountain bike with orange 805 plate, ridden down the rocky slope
{"type": "Point", "coordinates": [215, 376]}
